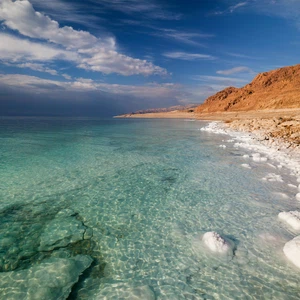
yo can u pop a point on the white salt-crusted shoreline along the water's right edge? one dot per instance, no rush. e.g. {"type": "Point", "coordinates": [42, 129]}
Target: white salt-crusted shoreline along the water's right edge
{"type": "Point", "coordinates": [262, 150]}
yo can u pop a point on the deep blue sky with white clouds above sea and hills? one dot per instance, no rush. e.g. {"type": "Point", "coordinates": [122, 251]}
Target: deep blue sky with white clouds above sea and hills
{"type": "Point", "coordinates": [107, 57]}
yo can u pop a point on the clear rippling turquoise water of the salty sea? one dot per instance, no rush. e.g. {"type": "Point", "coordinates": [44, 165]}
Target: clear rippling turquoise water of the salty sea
{"type": "Point", "coordinates": [115, 209]}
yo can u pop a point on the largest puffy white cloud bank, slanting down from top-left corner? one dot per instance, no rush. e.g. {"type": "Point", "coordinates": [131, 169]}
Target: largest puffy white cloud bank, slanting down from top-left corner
{"type": "Point", "coordinates": [92, 53]}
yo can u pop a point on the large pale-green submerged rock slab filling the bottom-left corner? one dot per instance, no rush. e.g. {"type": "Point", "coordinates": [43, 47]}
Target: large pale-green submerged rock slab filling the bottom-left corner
{"type": "Point", "coordinates": [52, 279]}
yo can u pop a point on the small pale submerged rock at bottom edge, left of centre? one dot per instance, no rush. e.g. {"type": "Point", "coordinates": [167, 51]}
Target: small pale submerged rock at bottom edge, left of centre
{"type": "Point", "coordinates": [125, 291]}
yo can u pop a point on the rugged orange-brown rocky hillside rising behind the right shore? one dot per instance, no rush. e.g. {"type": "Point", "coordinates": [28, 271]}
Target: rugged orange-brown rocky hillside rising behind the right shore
{"type": "Point", "coordinates": [270, 90]}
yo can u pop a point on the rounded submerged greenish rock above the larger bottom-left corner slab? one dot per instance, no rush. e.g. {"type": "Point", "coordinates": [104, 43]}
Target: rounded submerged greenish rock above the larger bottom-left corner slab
{"type": "Point", "coordinates": [63, 230]}
